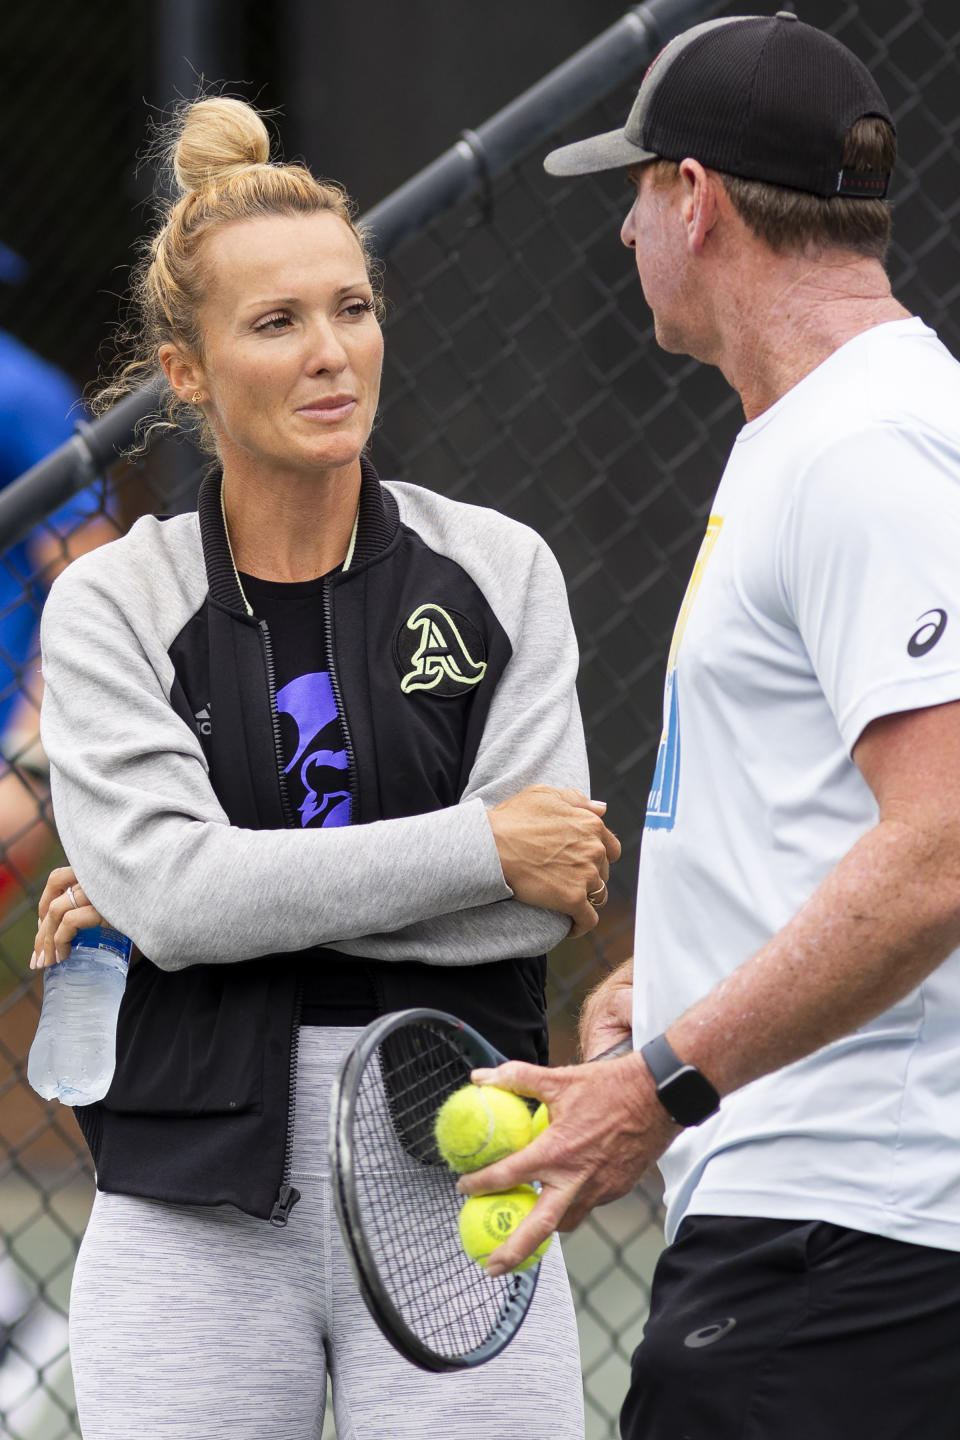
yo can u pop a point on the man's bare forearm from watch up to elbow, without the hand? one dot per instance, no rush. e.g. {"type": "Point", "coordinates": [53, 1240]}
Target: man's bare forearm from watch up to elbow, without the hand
{"type": "Point", "coordinates": [886, 917]}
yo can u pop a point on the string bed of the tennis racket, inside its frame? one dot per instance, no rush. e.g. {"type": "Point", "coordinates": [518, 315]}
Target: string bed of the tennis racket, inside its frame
{"type": "Point", "coordinates": [408, 1197]}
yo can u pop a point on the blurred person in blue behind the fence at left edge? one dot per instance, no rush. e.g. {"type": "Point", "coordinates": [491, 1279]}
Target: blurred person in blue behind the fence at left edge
{"type": "Point", "coordinates": [38, 411]}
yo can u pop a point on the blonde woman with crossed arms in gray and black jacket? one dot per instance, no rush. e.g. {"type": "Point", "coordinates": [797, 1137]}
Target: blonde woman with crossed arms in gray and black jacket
{"type": "Point", "coordinates": [317, 751]}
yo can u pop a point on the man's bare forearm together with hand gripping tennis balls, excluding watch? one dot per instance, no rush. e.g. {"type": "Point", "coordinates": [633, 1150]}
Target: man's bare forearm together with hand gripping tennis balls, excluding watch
{"type": "Point", "coordinates": [884, 918]}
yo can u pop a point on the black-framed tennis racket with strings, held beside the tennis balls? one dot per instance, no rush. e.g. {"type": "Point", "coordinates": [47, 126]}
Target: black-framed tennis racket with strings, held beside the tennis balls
{"type": "Point", "coordinates": [397, 1199]}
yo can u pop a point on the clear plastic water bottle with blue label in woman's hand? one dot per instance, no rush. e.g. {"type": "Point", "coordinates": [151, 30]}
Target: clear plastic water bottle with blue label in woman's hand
{"type": "Point", "coordinates": [74, 1052]}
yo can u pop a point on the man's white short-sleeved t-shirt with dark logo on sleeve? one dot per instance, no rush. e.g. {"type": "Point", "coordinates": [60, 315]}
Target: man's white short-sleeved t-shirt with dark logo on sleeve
{"type": "Point", "coordinates": [827, 594]}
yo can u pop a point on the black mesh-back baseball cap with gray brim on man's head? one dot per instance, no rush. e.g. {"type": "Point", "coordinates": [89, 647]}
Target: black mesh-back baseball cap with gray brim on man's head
{"type": "Point", "coordinates": [759, 97]}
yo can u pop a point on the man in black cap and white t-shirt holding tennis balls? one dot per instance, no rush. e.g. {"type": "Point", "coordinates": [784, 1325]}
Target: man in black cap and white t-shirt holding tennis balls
{"type": "Point", "coordinates": [797, 1003]}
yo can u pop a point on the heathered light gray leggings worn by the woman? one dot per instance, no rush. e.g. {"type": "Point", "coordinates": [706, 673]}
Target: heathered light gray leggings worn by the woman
{"type": "Point", "coordinates": [201, 1324]}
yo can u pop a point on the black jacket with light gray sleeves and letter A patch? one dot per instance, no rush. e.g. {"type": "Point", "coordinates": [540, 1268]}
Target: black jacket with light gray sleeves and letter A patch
{"type": "Point", "coordinates": [160, 726]}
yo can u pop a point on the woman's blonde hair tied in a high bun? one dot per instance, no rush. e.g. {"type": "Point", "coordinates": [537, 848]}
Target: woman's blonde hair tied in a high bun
{"type": "Point", "coordinates": [218, 153]}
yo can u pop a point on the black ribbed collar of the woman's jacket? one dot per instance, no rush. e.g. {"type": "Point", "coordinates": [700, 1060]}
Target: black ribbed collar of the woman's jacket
{"type": "Point", "coordinates": [378, 523]}
